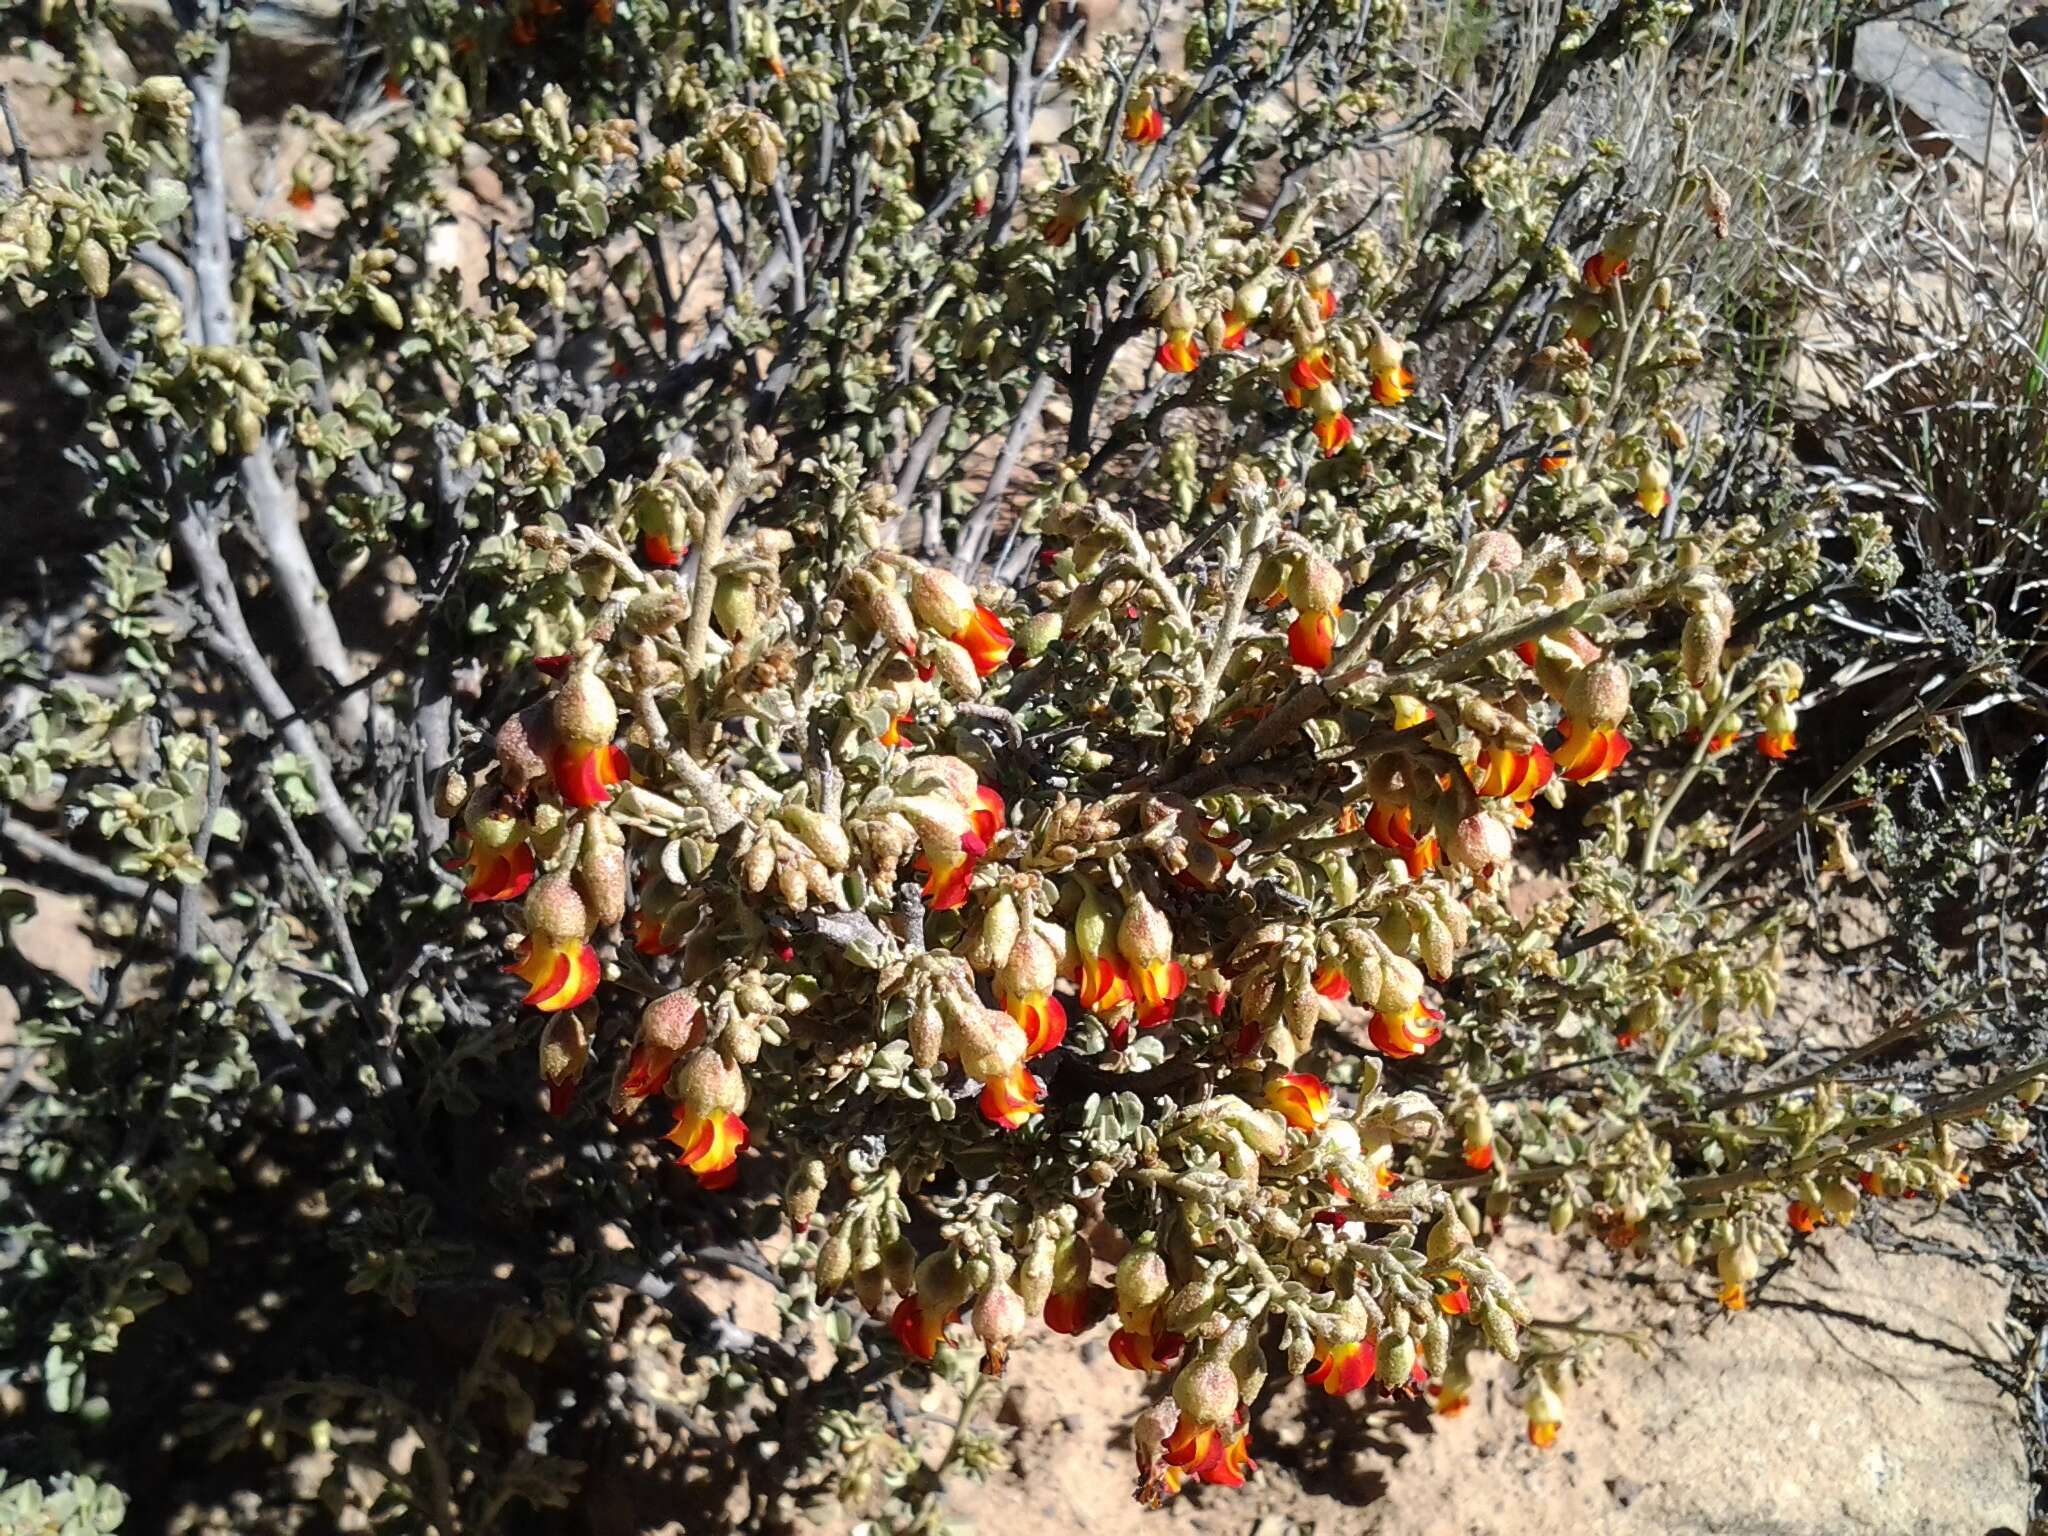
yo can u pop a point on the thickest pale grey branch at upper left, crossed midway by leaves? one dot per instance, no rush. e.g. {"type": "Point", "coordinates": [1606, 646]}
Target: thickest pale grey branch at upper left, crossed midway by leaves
{"type": "Point", "coordinates": [273, 507]}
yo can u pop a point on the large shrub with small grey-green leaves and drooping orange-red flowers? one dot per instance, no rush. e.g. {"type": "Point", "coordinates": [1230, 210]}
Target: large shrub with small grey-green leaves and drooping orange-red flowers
{"type": "Point", "coordinates": [1002, 667]}
